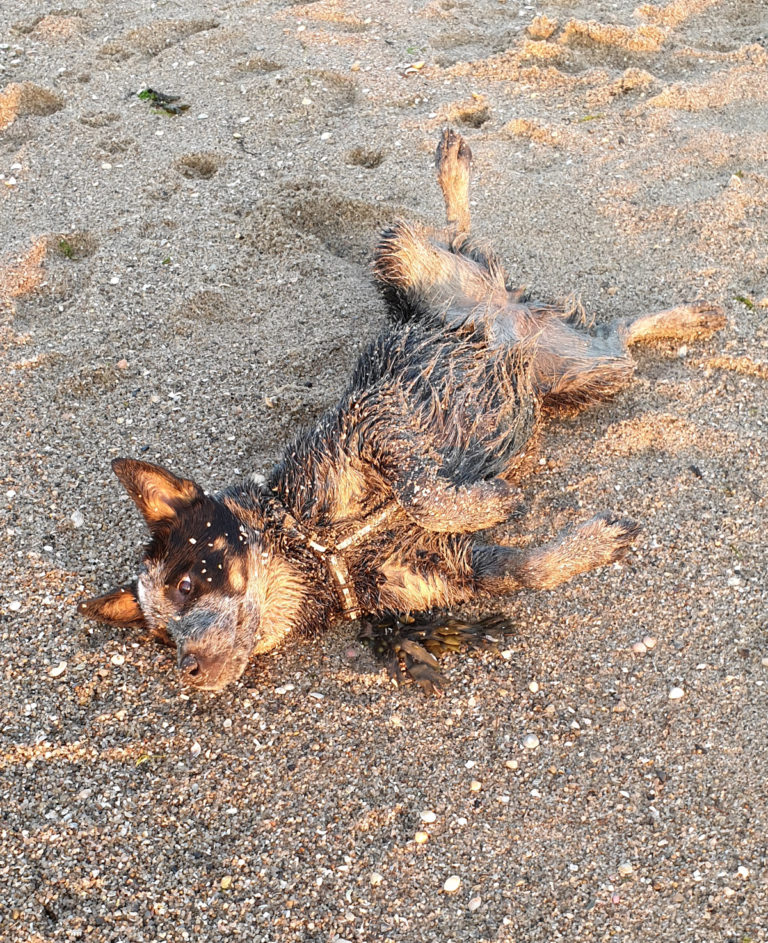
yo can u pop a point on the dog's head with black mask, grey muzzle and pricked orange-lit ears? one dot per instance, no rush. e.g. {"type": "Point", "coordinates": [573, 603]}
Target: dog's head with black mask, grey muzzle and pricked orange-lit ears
{"type": "Point", "coordinates": [208, 583]}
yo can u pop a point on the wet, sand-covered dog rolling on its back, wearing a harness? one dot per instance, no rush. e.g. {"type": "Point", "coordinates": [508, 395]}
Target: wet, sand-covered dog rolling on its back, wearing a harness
{"type": "Point", "coordinates": [377, 508]}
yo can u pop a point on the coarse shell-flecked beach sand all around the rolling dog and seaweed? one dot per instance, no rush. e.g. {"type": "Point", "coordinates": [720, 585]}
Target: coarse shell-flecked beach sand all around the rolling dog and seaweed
{"type": "Point", "coordinates": [190, 289]}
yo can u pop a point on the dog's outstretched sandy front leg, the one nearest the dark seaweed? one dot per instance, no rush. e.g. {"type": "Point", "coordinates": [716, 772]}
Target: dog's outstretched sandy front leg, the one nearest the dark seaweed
{"type": "Point", "coordinates": [597, 542]}
